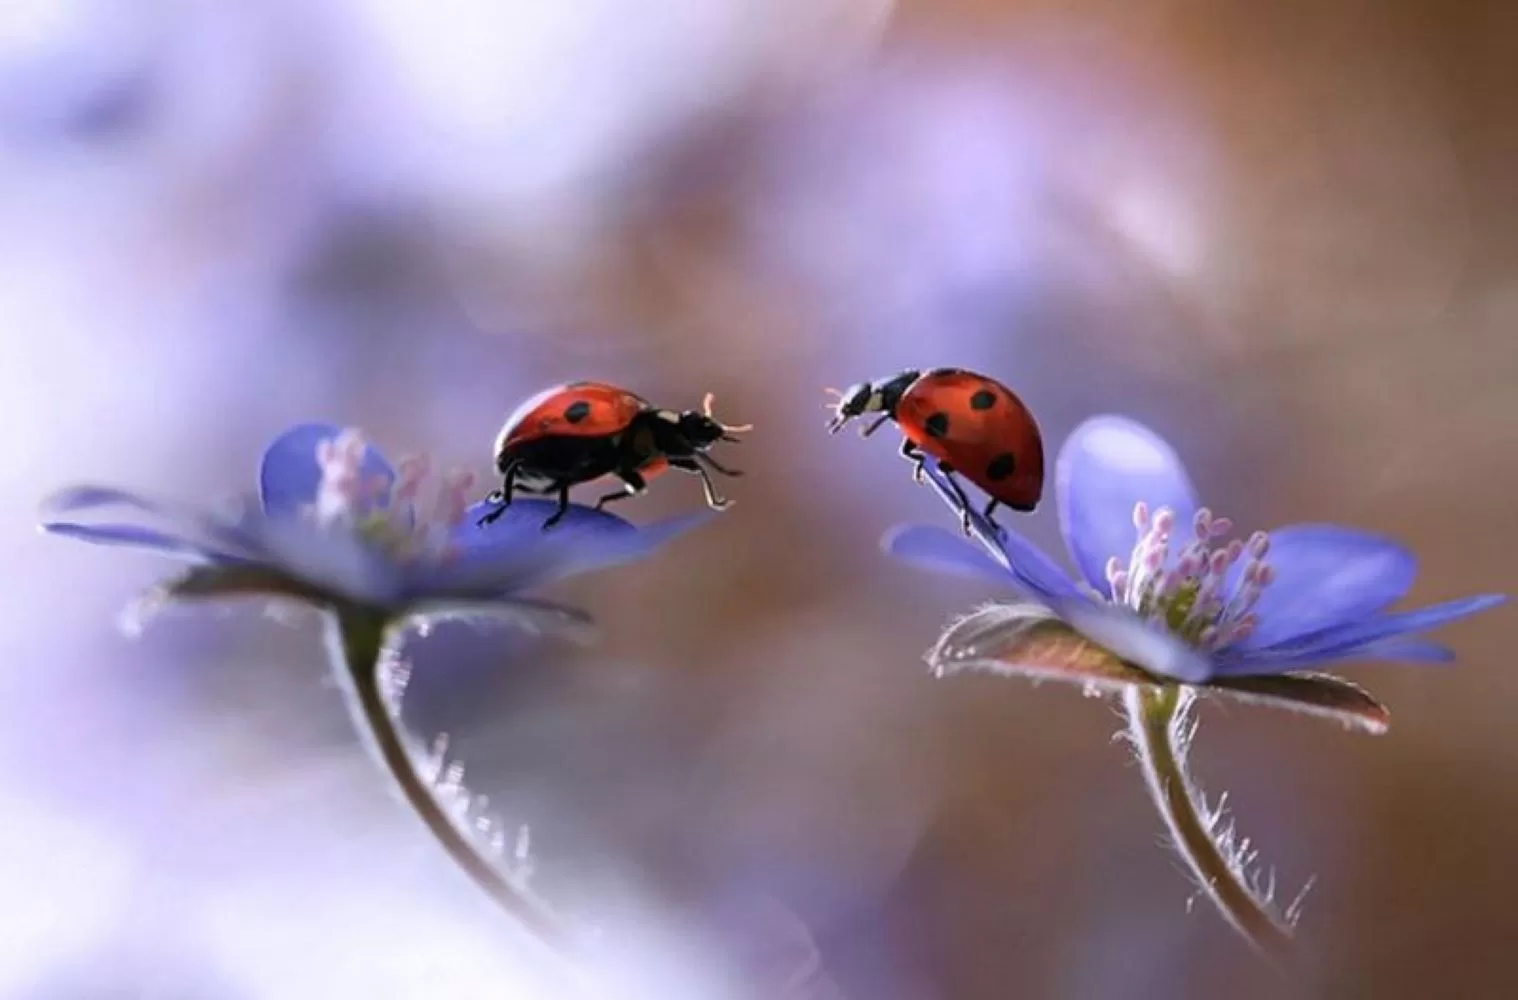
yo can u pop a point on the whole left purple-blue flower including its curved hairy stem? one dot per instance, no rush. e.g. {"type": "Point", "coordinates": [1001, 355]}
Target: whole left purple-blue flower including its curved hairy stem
{"type": "Point", "coordinates": [376, 549]}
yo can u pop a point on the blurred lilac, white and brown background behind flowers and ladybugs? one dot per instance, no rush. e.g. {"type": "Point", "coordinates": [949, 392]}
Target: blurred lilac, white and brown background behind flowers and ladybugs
{"type": "Point", "coordinates": [1283, 234]}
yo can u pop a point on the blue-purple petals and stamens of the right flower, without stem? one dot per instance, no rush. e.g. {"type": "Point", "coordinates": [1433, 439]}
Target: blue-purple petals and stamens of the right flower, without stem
{"type": "Point", "coordinates": [1164, 588]}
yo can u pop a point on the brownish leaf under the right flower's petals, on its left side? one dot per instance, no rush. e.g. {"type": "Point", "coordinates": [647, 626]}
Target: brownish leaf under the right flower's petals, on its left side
{"type": "Point", "coordinates": [1030, 641]}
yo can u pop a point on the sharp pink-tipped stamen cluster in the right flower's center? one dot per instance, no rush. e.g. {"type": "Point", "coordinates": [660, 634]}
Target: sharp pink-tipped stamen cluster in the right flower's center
{"type": "Point", "coordinates": [1192, 596]}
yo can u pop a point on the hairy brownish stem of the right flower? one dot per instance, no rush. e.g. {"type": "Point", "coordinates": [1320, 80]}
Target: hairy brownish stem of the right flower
{"type": "Point", "coordinates": [1157, 728]}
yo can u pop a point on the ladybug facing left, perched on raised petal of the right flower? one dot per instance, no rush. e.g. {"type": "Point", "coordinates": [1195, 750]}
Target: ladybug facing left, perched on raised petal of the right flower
{"type": "Point", "coordinates": [969, 423]}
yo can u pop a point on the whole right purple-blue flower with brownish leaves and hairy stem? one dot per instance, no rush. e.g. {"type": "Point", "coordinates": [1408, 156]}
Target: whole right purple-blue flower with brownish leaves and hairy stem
{"type": "Point", "coordinates": [1171, 605]}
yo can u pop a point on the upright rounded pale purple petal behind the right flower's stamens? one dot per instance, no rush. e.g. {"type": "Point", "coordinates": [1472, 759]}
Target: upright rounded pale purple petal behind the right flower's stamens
{"type": "Point", "coordinates": [1104, 470]}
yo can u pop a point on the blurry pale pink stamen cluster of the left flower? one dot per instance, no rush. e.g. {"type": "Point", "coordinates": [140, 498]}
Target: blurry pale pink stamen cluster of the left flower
{"type": "Point", "coordinates": [391, 515]}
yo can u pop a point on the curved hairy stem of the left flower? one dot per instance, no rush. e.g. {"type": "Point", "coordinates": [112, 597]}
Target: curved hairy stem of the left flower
{"type": "Point", "coordinates": [357, 644]}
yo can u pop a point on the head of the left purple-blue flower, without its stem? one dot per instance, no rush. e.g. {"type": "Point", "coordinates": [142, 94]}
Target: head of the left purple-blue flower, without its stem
{"type": "Point", "coordinates": [339, 527]}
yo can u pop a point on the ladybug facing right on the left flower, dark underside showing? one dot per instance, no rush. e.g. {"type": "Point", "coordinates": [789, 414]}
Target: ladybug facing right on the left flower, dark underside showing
{"type": "Point", "coordinates": [585, 432]}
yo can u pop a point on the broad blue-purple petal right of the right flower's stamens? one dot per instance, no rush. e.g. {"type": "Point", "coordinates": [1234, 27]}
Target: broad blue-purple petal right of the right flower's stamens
{"type": "Point", "coordinates": [1327, 576]}
